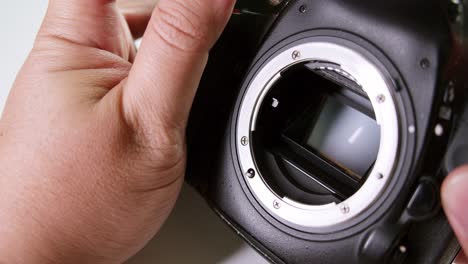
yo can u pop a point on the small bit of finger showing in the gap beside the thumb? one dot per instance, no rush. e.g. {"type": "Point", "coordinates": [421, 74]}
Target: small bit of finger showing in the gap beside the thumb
{"type": "Point", "coordinates": [137, 13]}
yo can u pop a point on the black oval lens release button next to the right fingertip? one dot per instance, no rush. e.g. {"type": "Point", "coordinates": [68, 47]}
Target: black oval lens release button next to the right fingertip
{"type": "Point", "coordinates": [424, 200]}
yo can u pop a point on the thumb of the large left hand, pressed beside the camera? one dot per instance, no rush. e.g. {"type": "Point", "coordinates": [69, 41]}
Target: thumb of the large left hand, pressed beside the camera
{"type": "Point", "coordinates": [168, 67]}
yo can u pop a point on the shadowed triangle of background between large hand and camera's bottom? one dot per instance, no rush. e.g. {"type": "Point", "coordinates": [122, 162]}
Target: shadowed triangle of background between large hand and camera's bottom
{"type": "Point", "coordinates": [193, 234]}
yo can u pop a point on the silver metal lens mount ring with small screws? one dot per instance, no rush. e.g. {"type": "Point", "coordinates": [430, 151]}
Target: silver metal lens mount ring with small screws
{"type": "Point", "coordinates": [377, 86]}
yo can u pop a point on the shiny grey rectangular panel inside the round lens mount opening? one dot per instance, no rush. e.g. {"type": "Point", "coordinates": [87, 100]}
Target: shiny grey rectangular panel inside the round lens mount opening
{"type": "Point", "coordinates": [345, 136]}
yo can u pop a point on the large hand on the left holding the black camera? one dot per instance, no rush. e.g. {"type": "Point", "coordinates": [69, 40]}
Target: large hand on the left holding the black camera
{"type": "Point", "coordinates": [92, 140]}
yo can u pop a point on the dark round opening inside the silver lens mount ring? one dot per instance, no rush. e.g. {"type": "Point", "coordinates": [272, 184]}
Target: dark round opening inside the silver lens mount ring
{"type": "Point", "coordinates": [316, 137]}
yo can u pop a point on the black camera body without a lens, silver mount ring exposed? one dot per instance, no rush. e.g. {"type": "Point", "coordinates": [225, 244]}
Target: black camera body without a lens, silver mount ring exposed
{"type": "Point", "coordinates": [323, 129]}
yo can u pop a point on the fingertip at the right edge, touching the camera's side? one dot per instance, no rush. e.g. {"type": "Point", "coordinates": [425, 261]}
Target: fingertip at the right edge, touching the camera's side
{"type": "Point", "coordinates": [454, 200]}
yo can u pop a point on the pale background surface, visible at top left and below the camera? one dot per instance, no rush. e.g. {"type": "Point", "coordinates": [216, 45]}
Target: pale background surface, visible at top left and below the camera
{"type": "Point", "coordinates": [193, 234]}
